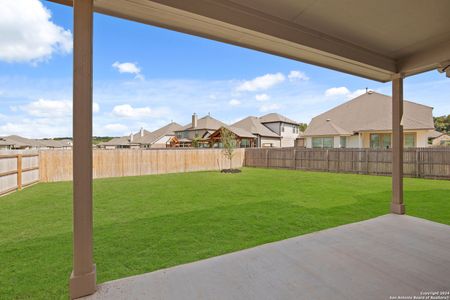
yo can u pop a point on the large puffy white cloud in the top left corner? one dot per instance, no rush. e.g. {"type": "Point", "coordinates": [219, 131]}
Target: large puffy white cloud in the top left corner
{"type": "Point", "coordinates": [28, 35]}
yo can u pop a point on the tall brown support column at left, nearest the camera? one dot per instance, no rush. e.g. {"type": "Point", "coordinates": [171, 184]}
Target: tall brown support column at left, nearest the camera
{"type": "Point", "coordinates": [83, 278]}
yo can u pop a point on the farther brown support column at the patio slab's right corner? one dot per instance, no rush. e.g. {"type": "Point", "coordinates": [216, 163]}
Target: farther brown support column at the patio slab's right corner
{"type": "Point", "coordinates": [397, 205]}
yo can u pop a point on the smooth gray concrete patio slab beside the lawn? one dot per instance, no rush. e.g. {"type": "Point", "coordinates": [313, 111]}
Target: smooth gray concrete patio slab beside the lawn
{"type": "Point", "coordinates": [388, 256]}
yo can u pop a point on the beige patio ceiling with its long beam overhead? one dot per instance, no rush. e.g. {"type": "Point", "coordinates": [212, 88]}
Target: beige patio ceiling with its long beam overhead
{"type": "Point", "coordinates": [372, 38]}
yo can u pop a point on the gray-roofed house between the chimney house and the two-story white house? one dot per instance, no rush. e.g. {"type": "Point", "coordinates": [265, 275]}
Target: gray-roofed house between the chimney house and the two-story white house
{"type": "Point", "coordinates": [264, 136]}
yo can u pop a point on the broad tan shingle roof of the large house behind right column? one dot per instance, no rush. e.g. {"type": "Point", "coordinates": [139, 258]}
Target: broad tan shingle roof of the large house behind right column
{"type": "Point", "coordinates": [370, 111]}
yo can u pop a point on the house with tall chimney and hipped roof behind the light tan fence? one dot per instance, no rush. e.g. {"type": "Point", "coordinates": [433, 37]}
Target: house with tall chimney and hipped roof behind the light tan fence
{"type": "Point", "coordinates": [199, 129]}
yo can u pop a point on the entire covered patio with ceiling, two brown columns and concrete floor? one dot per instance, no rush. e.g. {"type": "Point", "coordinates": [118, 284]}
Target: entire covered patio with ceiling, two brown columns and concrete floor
{"type": "Point", "coordinates": [380, 40]}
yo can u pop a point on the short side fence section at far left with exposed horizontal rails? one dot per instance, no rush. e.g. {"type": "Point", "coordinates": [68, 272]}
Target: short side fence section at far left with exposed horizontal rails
{"type": "Point", "coordinates": [18, 170]}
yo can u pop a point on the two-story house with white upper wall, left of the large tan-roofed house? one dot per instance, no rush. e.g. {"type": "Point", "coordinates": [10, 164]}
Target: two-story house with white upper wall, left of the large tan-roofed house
{"type": "Point", "coordinates": [286, 128]}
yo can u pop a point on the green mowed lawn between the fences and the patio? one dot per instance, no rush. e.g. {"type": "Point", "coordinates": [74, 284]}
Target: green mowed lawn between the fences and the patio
{"type": "Point", "coordinates": [147, 223]}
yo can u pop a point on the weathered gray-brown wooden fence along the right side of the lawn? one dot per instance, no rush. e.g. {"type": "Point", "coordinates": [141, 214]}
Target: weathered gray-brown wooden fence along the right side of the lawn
{"type": "Point", "coordinates": [417, 162]}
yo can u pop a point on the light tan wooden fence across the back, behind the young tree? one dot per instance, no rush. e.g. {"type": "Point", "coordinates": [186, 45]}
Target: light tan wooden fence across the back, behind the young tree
{"type": "Point", "coordinates": [56, 165]}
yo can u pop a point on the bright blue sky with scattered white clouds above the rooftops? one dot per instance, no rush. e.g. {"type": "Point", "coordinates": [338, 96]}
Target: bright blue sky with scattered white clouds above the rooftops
{"type": "Point", "coordinates": [146, 76]}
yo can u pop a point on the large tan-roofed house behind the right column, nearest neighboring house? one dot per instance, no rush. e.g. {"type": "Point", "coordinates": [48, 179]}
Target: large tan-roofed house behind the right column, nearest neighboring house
{"type": "Point", "coordinates": [366, 122]}
